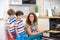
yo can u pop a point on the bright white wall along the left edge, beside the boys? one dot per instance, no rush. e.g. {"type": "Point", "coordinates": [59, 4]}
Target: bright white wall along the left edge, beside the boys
{"type": "Point", "coordinates": [3, 9]}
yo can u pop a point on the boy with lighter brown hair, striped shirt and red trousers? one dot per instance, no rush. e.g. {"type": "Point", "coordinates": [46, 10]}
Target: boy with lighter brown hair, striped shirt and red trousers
{"type": "Point", "coordinates": [10, 24]}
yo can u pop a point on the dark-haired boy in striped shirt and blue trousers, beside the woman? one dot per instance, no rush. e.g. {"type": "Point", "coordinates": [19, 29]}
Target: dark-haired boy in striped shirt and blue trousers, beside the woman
{"type": "Point", "coordinates": [19, 26]}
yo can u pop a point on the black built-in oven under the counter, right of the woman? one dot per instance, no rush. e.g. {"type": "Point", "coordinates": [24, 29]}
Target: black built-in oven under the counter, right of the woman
{"type": "Point", "coordinates": [55, 25]}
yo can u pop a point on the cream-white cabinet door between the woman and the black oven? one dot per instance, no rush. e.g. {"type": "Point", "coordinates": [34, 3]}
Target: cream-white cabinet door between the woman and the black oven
{"type": "Point", "coordinates": [43, 24]}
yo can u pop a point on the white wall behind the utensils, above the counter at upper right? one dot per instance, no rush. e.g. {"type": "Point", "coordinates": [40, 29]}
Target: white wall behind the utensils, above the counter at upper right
{"type": "Point", "coordinates": [49, 4]}
